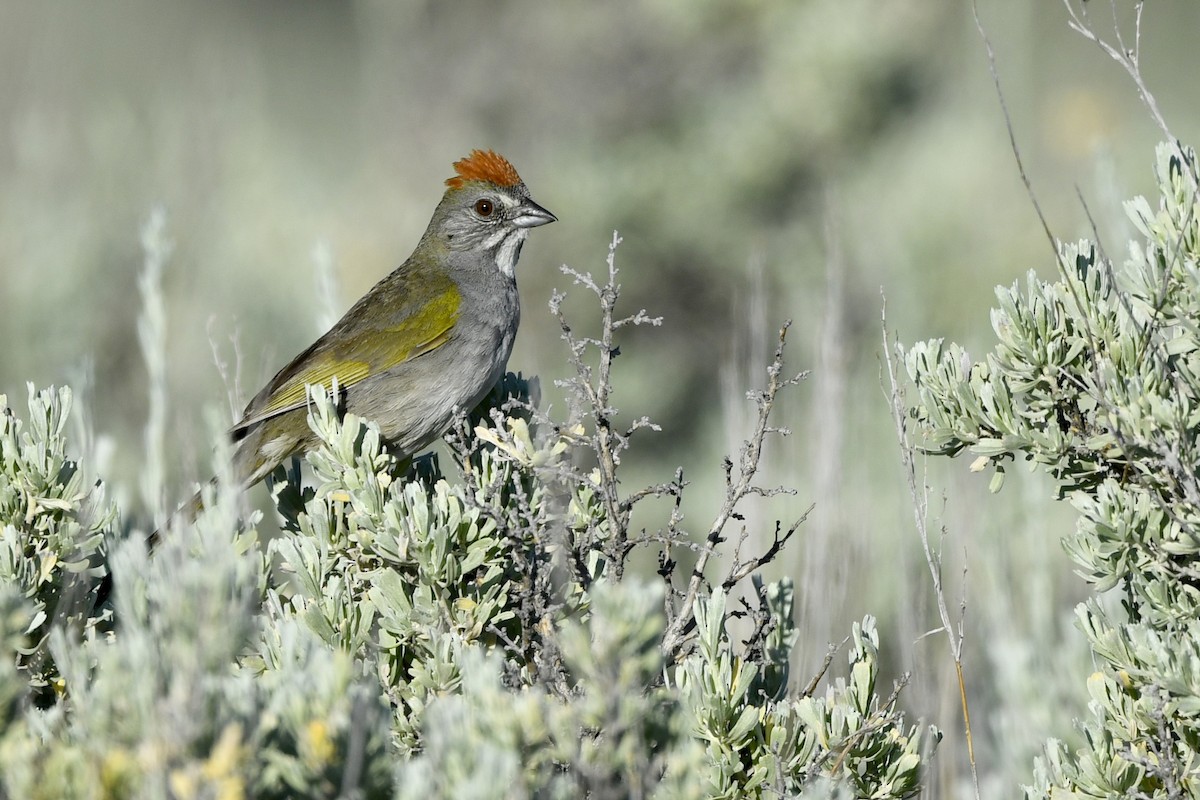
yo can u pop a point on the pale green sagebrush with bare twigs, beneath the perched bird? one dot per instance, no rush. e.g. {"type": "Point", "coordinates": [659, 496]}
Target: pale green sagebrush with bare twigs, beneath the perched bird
{"type": "Point", "coordinates": [418, 631]}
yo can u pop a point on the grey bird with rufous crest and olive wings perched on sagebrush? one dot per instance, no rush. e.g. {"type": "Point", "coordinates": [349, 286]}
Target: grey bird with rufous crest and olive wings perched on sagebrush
{"type": "Point", "coordinates": [431, 338]}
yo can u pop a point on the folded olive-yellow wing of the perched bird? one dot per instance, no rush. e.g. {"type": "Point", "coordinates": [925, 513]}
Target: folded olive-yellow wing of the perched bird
{"type": "Point", "coordinates": [353, 351]}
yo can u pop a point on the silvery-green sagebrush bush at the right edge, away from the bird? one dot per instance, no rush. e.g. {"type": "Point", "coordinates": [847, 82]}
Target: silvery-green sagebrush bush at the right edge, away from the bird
{"type": "Point", "coordinates": [1096, 380]}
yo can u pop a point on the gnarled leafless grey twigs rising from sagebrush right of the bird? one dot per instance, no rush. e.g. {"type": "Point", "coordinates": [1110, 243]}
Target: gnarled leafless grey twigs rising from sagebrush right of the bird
{"type": "Point", "coordinates": [592, 430]}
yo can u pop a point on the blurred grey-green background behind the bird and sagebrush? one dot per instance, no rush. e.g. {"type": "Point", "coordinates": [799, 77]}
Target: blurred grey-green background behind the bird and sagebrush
{"type": "Point", "coordinates": [763, 160]}
